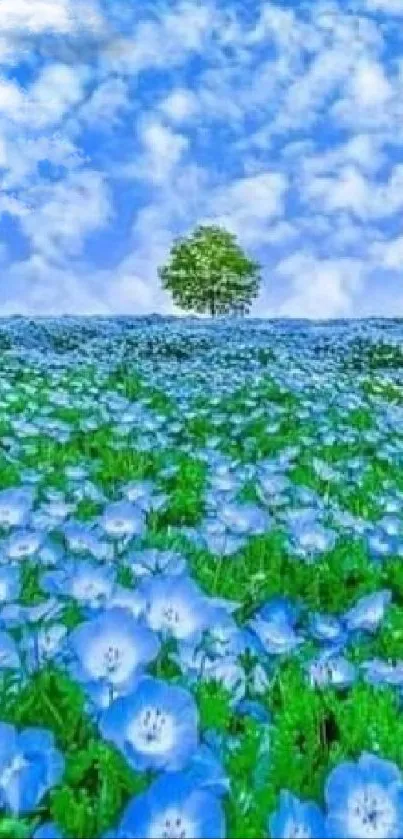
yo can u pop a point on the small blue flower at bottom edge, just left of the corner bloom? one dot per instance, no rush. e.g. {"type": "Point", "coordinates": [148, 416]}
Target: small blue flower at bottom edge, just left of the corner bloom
{"type": "Point", "coordinates": [295, 819]}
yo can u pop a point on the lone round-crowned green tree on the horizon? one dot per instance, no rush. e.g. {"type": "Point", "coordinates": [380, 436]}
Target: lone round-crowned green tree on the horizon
{"type": "Point", "coordinates": [208, 272]}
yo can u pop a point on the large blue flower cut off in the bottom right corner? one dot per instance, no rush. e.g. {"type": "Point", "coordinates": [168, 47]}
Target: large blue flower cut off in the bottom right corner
{"type": "Point", "coordinates": [365, 799]}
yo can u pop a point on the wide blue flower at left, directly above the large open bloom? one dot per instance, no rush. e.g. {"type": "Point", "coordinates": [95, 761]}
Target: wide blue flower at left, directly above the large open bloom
{"type": "Point", "coordinates": [89, 584]}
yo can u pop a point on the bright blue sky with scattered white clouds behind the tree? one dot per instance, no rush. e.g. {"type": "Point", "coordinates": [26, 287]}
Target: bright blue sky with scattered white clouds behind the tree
{"type": "Point", "coordinates": [124, 125]}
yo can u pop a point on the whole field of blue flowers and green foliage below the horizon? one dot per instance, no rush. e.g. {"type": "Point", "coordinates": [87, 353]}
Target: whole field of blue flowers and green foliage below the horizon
{"type": "Point", "coordinates": [201, 578]}
